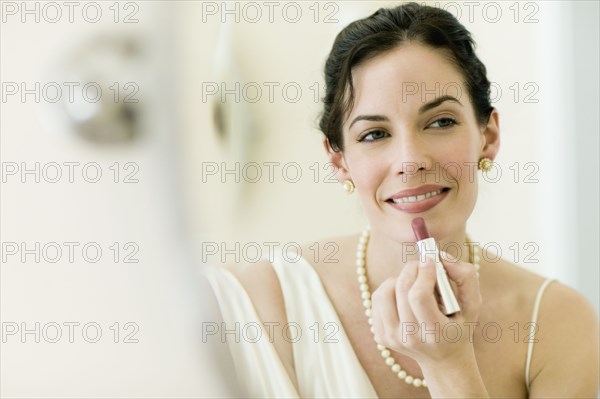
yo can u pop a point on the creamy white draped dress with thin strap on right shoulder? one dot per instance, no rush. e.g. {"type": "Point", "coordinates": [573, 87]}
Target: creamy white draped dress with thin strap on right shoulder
{"type": "Point", "coordinates": [325, 362]}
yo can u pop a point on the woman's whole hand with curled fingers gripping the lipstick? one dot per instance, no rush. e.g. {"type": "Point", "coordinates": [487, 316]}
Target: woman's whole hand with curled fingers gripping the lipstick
{"type": "Point", "coordinates": [407, 318]}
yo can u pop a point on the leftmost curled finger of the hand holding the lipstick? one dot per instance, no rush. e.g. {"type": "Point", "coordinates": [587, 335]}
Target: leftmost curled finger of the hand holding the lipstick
{"type": "Point", "coordinates": [383, 311]}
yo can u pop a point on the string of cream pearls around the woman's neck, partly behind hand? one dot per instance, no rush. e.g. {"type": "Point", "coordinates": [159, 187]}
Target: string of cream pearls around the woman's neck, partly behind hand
{"type": "Point", "coordinates": [365, 294]}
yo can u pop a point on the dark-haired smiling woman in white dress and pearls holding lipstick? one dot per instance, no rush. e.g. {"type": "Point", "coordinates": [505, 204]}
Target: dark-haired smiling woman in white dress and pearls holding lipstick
{"type": "Point", "coordinates": [407, 100]}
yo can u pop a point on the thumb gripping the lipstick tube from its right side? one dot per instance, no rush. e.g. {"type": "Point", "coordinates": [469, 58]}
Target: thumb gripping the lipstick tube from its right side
{"type": "Point", "coordinates": [465, 278]}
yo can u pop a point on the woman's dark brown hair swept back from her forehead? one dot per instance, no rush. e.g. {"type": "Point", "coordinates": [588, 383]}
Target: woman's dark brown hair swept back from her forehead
{"type": "Point", "coordinates": [385, 30]}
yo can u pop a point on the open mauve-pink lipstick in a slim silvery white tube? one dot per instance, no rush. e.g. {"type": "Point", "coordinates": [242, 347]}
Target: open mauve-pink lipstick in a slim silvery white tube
{"type": "Point", "coordinates": [428, 247]}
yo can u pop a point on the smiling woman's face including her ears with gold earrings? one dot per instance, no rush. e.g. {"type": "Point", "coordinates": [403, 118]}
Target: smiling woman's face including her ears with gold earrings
{"type": "Point", "coordinates": [412, 142]}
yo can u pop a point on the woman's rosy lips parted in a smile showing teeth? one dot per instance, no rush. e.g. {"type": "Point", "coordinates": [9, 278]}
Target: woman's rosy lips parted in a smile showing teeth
{"type": "Point", "coordinates": [419, 199]}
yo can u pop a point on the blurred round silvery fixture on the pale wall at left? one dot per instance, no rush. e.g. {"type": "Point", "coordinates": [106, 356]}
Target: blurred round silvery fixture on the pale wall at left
{"type": "Point", "coordinates": [102, 101]}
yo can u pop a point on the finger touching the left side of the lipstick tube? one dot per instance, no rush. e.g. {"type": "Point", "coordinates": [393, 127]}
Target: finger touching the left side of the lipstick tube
{"type": "Point", "coordinates": [422, 294]}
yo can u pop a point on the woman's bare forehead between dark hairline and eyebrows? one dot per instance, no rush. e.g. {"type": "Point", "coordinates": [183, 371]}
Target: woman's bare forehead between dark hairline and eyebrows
{"type": "Point", "coordinates": [409, 75]}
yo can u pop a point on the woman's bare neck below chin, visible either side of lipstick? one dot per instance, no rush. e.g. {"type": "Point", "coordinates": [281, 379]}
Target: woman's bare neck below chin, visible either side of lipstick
{"type": "Point", "coordinates": [386, 257]}
